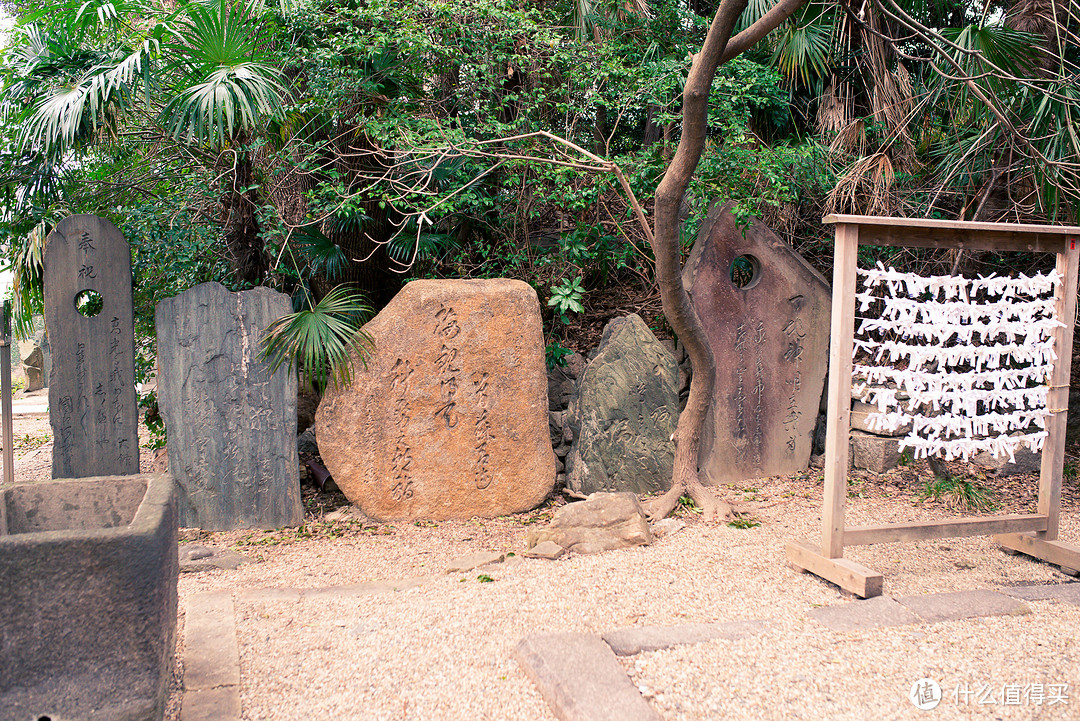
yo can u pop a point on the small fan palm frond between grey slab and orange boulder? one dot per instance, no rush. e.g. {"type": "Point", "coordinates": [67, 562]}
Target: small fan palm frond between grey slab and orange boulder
{"type": "Point", "coordinates": [319, 341]}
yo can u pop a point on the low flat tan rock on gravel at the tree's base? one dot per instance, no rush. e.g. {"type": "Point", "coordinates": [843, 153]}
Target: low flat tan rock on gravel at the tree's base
{"type": "Point", "coordinates": [602, 523]}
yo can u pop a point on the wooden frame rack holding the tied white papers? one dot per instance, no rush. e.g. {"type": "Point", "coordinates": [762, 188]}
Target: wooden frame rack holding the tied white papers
{"type": "Point", "coordinates": [1035, 535]}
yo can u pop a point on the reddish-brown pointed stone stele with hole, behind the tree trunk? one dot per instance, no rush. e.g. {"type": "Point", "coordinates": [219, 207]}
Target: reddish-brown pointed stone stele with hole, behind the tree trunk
{"type": "Point", "coordinates": [766, 312]}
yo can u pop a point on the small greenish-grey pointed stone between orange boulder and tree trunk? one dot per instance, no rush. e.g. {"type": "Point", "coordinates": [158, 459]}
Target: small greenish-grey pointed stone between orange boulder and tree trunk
{"type": "Point", "coordinates": [624, 414]}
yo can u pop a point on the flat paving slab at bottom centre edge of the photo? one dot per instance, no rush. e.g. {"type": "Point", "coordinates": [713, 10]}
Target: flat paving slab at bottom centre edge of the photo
{"type": "Point", "coordinates": [582, 679]}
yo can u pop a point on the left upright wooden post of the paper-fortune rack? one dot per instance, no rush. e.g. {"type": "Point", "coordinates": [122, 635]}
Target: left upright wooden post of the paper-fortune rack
{"type": "Point", "coordinates": [840, 389]}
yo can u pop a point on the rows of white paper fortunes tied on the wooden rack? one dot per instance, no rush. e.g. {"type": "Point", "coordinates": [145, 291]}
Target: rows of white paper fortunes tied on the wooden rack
{"type": "Point", "coordinates": [979, 356]}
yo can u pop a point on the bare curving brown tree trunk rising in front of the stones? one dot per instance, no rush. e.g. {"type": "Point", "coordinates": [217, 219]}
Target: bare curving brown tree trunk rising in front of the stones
{"type": "Point", "coordinates": [666, 247]}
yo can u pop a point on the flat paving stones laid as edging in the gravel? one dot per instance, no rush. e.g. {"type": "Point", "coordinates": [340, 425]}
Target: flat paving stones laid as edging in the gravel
{"type": "Point", "coordinates": [579, 675]}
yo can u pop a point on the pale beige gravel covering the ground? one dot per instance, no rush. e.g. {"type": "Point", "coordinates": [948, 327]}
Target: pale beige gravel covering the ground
{"type": "Point", "coordinates": [442, 650]}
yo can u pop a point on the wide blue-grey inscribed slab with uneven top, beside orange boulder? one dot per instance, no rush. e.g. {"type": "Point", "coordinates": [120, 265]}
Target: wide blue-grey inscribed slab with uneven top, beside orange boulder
{"type": "Point", "coordinates": [232, 423]}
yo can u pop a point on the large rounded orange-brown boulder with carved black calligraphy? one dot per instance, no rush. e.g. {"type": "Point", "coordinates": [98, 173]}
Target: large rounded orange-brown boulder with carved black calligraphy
{"type": "Point", "coordinates": [450, 417]}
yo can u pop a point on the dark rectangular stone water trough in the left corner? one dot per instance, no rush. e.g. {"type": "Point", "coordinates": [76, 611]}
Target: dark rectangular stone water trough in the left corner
{"type": "Point", "coordinates": [88, 629]}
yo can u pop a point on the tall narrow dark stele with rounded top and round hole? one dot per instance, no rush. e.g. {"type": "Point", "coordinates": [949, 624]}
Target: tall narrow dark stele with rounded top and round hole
{"type": "Point", "coordinates": [88, 281]}
